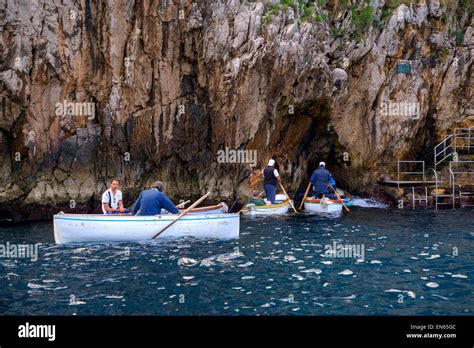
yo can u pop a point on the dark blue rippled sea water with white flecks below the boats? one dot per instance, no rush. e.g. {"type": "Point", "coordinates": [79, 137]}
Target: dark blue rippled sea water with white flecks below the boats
{"type": "Point", "coordinates": [415, 263]}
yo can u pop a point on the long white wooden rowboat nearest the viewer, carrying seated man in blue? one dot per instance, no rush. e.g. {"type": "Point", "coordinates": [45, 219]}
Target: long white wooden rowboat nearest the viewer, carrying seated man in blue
{"type": "Point", "coordinates": [78, 228]}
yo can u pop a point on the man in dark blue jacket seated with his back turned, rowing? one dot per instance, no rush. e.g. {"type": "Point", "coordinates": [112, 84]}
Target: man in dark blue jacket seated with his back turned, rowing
{"type": "Point", "coordinates": [151, 201]}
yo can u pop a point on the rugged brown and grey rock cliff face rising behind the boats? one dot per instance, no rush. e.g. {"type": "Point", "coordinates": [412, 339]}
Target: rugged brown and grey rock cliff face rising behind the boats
{"type": "Point", "coordinates": [139, 90]}
